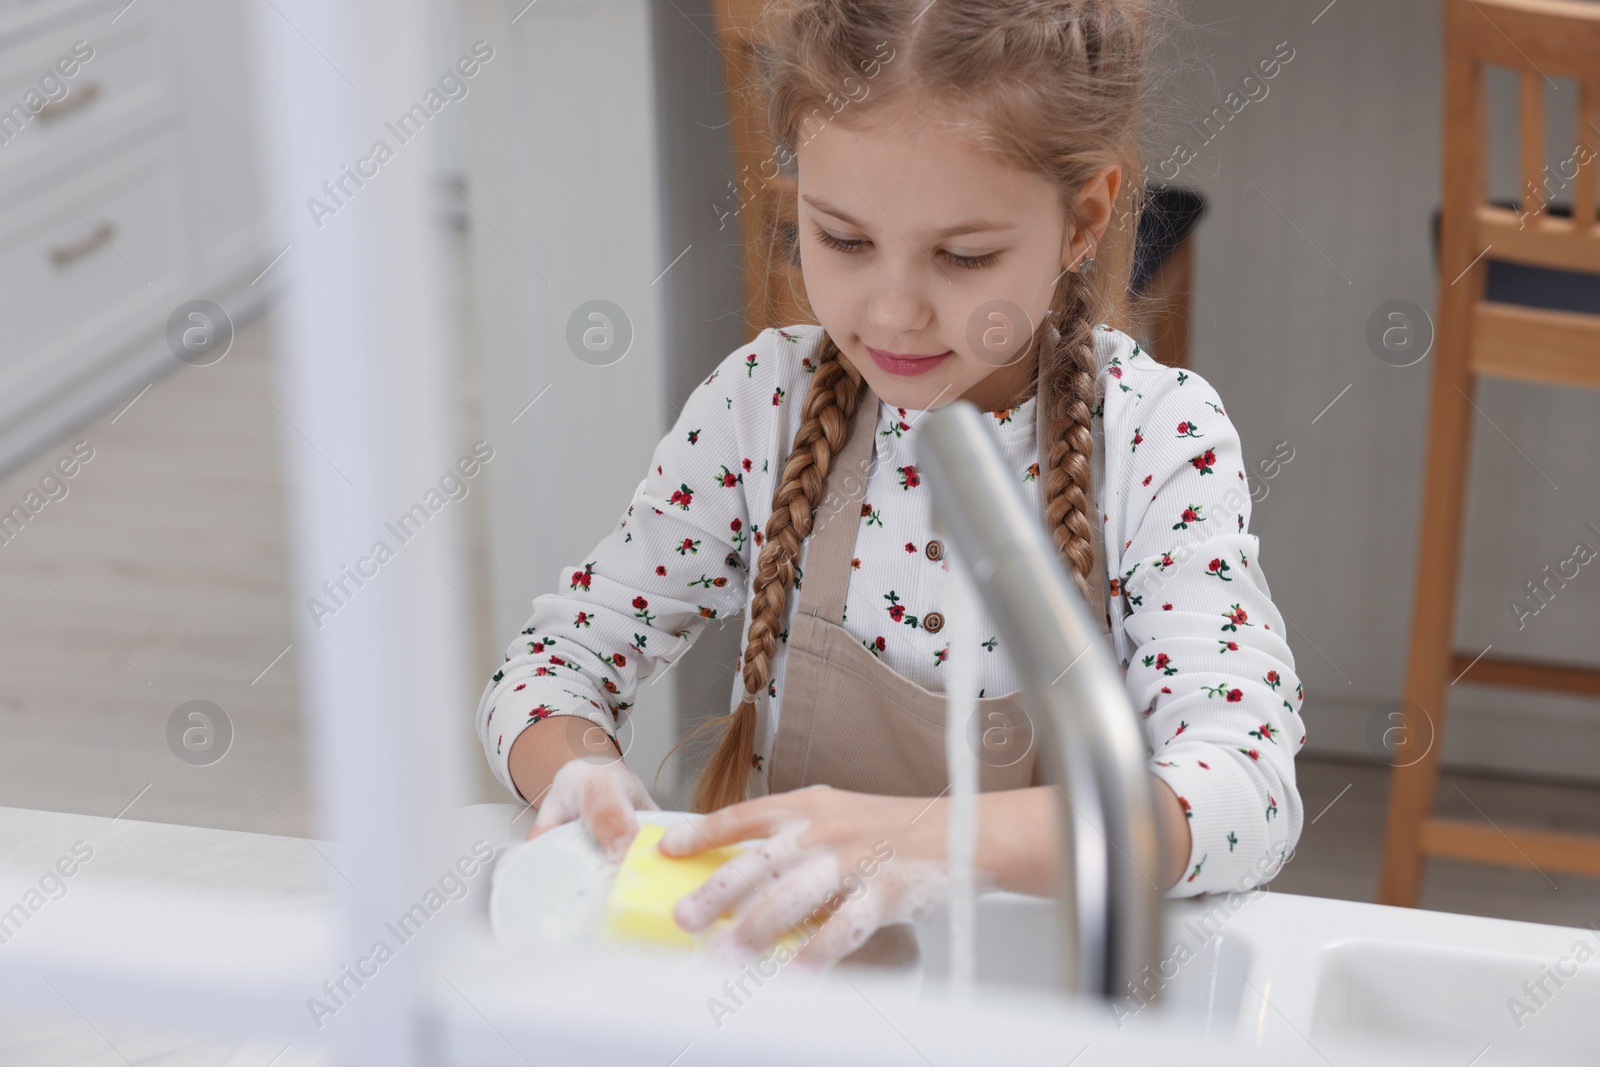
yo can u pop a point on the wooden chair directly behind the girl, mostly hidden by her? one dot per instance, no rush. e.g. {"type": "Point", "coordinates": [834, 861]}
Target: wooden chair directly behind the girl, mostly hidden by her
{"type": "Point", "coordinates": [764, 196]}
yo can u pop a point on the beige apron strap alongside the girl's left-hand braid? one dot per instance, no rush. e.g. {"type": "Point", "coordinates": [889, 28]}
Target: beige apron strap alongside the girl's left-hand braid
{"type": "Point", "coordinates": [838, 519]}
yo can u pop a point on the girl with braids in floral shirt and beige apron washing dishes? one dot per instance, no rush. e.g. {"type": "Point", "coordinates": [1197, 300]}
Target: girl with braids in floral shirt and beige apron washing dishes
{"type": "Point", "coordinates": [985, 158]}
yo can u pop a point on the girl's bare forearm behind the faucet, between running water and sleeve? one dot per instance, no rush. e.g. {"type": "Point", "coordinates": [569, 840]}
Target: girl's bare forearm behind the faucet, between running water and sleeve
{"type": "Point", "coordinates": [1020, 837]}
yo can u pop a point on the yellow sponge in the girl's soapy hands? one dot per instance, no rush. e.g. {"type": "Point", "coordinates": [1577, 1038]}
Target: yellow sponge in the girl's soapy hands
{"type": "Point", "coordinates": [650, 885]}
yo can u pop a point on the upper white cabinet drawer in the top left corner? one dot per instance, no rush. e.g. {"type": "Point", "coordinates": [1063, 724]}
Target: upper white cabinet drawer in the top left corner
{"type": "Point", "coordinates": [124, 84]}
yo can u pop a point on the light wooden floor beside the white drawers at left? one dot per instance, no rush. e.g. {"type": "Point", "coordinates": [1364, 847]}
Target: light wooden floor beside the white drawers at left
{"type": "Point", "coordinates": [162, 578]}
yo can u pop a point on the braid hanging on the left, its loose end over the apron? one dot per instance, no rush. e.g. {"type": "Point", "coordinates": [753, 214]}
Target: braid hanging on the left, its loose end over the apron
{"type": "Point", "coordinates": [828, 410]}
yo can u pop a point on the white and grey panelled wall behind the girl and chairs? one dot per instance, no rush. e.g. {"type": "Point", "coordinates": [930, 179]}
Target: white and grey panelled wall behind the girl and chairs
{"type": "Point", "coordinates": [1321, 201]}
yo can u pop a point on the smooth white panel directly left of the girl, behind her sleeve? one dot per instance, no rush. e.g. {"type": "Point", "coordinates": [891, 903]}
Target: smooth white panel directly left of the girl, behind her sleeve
{"type": "Point", "coordinates": [567, 209]}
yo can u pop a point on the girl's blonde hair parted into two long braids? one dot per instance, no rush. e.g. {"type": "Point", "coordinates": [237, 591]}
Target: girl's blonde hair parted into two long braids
{"type": "Point", "coordinates": [1054, 87]}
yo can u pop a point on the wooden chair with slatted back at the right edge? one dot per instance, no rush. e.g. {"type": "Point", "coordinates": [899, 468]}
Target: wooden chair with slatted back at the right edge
{"type": "Point", "coordinates": [1478, 337]}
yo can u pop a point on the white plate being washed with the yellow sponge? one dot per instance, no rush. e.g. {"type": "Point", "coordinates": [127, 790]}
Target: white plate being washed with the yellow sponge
{"type": "Point", "coordinates": [556, 887]}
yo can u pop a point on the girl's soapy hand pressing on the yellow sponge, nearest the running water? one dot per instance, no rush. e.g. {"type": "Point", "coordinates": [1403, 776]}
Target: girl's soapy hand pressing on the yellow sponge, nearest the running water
{"type": "Point", "coordinates": [857, 860]}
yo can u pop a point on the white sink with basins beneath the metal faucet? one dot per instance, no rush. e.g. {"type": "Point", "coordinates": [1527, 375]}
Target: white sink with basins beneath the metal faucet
{"type": "Point", "coordinates": [1290, 973]}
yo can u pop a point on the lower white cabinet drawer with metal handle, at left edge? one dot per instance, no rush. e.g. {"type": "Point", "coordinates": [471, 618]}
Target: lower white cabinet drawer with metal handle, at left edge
{"type": "Point", "coordinates": [89, 270]}
